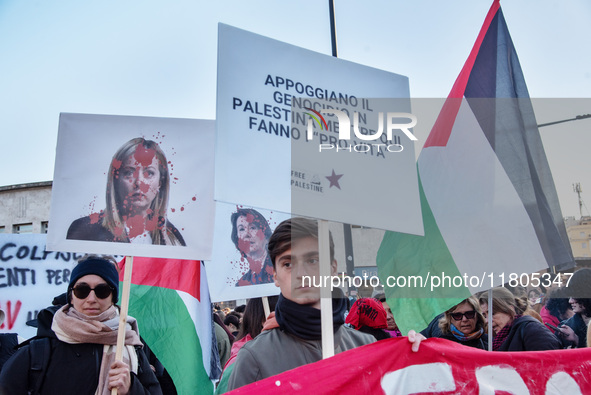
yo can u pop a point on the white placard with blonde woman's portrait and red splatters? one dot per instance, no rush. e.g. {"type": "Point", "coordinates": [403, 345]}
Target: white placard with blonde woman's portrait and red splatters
{"type": "Point", "coordinates": [135, 186]}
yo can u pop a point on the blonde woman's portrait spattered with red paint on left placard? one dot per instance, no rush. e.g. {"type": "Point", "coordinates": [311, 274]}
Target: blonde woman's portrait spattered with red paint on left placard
{"type": "Point", "coordinates": [138, 184]}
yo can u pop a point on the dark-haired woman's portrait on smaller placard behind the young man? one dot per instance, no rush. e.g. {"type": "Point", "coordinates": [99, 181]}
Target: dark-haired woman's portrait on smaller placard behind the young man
{"type": "Point", "coordinates": [250, 235]}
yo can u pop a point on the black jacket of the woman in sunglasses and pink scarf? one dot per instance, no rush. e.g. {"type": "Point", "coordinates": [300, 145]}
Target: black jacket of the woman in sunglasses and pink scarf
{"type": "Point", "coordinates": [72, 368]}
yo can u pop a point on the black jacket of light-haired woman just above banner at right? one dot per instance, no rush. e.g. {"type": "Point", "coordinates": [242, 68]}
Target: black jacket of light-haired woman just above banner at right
{"type": "Point", "coordinates": [529, 334]}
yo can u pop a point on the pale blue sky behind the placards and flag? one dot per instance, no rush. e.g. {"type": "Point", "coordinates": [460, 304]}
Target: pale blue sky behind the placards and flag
{"type": "Point", "coordinates": [157, 58]}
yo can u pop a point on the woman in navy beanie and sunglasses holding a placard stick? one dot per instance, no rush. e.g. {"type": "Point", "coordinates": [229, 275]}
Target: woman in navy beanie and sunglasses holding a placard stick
{"type": "Point", "coordinates": [83, 342]}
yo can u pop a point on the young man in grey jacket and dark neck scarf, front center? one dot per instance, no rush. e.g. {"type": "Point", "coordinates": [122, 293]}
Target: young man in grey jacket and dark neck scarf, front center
{"type": "Point", "coordinates": [296, 340]}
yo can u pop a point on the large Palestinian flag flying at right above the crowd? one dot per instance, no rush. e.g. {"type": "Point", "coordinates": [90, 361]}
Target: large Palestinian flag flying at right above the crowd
{"type": "Point", "coordinates": [489, 204]}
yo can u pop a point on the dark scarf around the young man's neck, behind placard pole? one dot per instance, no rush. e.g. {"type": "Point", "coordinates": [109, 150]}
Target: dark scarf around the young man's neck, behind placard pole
{"type": "Point", "coordinates": [304, 321]}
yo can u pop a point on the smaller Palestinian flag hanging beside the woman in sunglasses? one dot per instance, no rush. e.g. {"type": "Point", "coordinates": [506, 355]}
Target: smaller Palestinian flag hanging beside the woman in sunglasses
{"type": "Point", "coordinates": [170, 300]}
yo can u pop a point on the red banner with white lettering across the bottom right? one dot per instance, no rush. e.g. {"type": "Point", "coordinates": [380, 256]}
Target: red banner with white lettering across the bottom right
{"type": "Point", "coordinates": [440, 367]}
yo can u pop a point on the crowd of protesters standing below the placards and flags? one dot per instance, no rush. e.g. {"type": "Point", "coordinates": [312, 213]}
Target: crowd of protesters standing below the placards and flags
{"type": "Point", "coordinates": [258, 340]}
